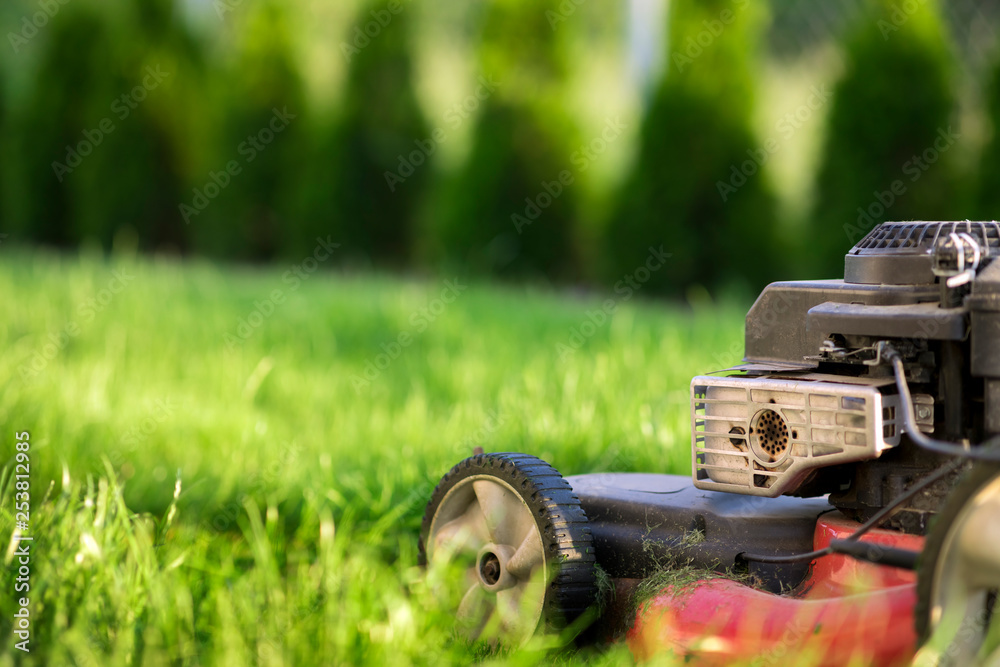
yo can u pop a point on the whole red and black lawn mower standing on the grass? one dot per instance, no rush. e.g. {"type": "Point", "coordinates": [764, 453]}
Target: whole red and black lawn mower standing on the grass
{"type": "Point", "coordinates": [844, 501]}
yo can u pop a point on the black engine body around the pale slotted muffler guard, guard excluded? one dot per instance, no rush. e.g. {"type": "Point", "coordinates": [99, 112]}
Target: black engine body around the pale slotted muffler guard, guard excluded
{"type": "Point", "coordinates": [931, 290]}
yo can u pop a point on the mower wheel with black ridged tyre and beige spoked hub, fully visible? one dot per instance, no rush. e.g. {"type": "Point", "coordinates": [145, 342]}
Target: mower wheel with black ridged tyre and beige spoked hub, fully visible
{"type": "Point", "coordinates": [522, 539]}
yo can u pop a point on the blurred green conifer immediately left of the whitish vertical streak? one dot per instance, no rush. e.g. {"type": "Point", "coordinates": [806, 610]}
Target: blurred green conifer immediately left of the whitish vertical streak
{"type": "Point", "coordinates": [511, 209]}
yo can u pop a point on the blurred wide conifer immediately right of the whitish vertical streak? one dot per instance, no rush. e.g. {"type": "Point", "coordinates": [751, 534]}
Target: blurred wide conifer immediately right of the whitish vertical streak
{"type": "Point", "coordinates": [699, 186]}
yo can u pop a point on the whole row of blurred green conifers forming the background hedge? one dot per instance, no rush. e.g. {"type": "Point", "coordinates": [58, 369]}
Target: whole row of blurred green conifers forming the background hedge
{"type": "Point", "coordinates": [231, 152]}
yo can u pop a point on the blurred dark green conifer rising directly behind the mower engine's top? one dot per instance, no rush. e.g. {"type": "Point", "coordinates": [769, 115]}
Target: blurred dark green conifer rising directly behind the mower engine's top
{"type": "Point", "coordinates": [888, 129]}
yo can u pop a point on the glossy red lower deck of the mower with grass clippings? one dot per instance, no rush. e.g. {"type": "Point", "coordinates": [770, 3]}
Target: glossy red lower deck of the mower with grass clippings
{"type": "Point", "coordinates": [844, 611]}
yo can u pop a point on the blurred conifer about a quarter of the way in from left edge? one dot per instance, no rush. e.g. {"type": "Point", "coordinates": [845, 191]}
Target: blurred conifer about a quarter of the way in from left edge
{"type": "Point", "coordinates": [236, 204]}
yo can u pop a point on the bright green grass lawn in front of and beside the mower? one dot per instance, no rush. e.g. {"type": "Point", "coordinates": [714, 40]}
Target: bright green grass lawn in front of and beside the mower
{"type": "Point", "coordinates": [302, 479]}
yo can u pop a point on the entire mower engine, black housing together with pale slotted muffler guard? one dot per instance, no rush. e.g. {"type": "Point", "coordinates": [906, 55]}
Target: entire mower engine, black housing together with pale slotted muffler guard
{"type": "Point", "coordinates": [815, 409]}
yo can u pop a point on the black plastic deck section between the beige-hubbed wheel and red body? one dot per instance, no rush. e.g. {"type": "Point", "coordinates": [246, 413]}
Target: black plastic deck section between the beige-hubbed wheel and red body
{"type": "Point", "coordinates": [644, 523]}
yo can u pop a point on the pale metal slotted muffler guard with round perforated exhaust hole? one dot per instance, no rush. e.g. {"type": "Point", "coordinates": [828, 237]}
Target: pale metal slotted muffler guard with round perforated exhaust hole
{"type": "Point", "coordinates": [762, 436]}
